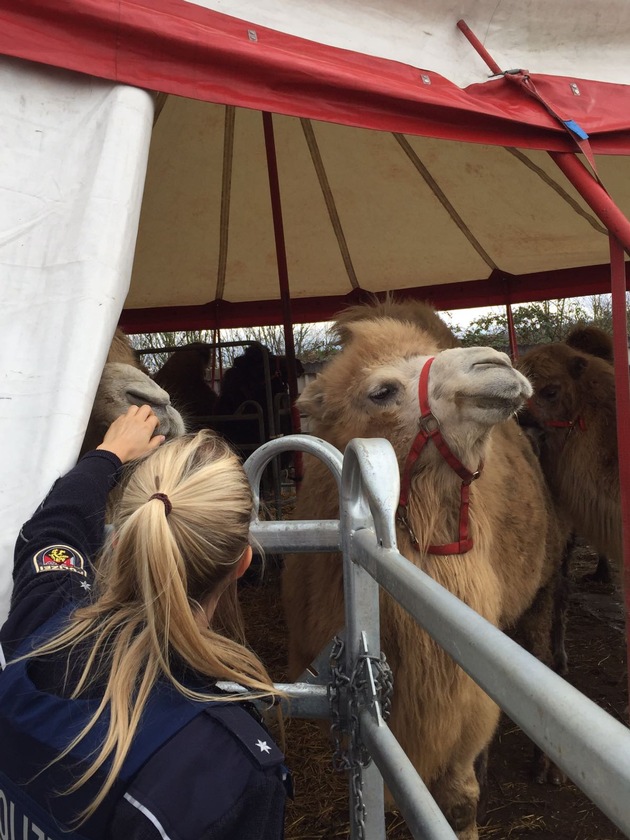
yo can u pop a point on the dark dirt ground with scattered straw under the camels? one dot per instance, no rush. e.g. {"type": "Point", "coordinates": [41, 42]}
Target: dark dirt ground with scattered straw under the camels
{"type": "Point", "coordinates": [517, 806]}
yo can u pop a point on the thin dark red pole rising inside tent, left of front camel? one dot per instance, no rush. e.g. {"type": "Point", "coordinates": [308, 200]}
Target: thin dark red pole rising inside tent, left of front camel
{"type": "Point", "coordinates": [283, 277]}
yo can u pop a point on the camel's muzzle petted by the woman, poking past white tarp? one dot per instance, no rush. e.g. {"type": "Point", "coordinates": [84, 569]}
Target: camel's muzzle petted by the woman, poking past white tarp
{"type": "Point", "coordinates": [123, 385]}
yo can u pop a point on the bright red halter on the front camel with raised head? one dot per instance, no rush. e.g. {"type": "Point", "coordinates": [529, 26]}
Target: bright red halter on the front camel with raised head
{"type": "Point", "coordinates": [430, 430]}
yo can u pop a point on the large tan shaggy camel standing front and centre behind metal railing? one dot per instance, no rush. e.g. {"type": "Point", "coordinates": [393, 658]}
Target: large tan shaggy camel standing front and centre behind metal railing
{"type": "Point", "coordinates": [370, 389]}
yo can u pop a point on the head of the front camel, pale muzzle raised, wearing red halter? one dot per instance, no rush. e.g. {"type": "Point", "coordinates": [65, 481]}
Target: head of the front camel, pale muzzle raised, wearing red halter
{"type": "Point", "coordinates": [370, 389]}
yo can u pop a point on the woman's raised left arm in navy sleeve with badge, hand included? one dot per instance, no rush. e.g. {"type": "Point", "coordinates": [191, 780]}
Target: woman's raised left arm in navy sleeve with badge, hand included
{"type": "Point", "coordinates": [54, 548]}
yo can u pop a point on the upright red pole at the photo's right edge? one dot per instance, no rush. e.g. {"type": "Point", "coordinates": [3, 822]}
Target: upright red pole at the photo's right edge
{"type": "Point", "coordinates": [622, 390]}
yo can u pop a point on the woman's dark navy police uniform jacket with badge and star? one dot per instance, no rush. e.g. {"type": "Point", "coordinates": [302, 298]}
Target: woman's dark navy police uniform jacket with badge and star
{"type": "Point", "coordinates": [195, 772]}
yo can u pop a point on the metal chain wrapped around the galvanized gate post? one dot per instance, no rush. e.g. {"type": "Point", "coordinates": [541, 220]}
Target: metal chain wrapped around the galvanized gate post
{"type": "Point", "coordinates": [370, 682]}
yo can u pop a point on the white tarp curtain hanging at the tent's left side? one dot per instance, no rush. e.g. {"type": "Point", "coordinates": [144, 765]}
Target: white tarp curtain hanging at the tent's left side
{"type": "Point", "coordinates": [72, 168]}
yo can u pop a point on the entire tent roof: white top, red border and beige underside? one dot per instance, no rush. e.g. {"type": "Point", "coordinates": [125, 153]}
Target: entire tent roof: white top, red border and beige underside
{"type": "Point", "coordinates": [390, 176]}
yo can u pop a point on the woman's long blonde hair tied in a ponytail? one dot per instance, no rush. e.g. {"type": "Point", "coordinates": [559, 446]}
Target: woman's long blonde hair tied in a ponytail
{"type": "Point", "coordinates": [150, 579]}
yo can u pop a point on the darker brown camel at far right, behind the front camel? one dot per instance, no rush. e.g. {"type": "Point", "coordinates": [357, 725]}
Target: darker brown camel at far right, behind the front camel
{"type": "Point", "coordinates": [580, 458]}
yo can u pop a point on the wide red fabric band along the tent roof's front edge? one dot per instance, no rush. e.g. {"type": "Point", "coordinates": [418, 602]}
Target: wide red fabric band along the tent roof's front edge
{"type": "Point", "coordinates": [180, 48]}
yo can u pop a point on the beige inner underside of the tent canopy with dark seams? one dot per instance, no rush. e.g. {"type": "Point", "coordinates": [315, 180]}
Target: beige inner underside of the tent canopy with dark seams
{"type": "Point", "coordinates": [362, 211]}
